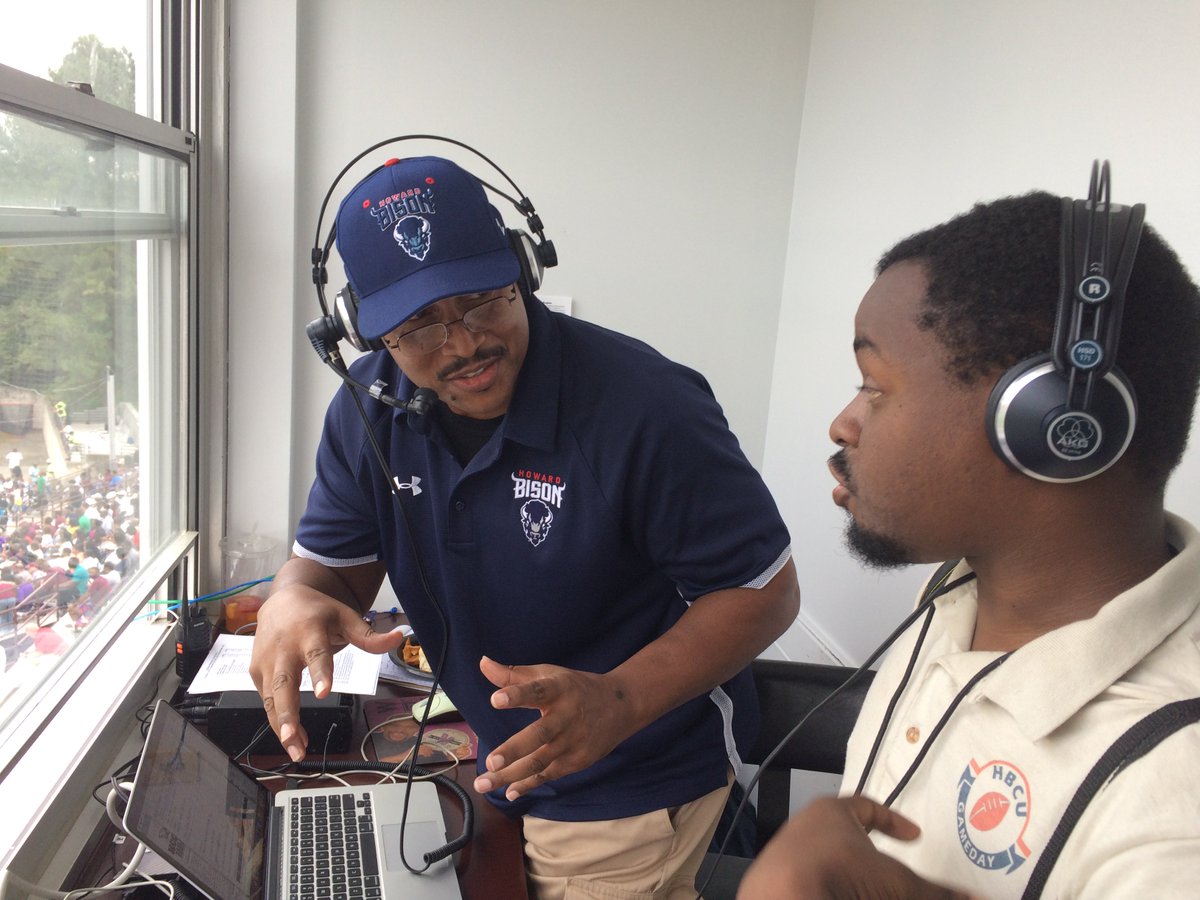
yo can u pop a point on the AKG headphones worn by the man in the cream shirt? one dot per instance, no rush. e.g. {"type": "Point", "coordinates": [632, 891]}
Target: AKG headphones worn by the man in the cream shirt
{"type": "Point", "coordinates": [1070, 415]}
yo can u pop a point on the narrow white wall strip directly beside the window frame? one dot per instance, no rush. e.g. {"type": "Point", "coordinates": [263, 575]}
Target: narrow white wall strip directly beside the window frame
{"type": "Point", "coordinates": [266, 268]}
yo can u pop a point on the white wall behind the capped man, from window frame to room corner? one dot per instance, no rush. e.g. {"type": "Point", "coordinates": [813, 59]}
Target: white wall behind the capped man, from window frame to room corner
{"type": "Point", "coordinates": [657, 140]}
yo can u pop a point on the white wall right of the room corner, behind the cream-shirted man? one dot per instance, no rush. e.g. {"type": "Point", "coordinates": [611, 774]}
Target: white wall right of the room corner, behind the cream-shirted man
{"type": "Point", "coordinates": [913, 113]}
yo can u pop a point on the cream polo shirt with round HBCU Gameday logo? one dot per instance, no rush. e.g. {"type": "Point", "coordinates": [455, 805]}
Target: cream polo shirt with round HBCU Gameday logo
{"type": "Point", "coordinates": [995, 783]}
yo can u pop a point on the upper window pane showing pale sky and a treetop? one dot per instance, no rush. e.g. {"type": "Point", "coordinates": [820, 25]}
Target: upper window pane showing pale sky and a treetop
{"type": "Point", "coordinates": [105, 44]}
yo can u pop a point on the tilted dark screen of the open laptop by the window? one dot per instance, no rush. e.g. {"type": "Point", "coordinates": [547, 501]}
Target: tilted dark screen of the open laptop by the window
{"type": "Point", "coordinates": [199, 811]}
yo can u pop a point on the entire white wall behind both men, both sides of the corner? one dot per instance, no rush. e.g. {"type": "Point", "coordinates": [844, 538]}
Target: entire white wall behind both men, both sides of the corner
{"type": "Point", "coordinates": [664, 142]}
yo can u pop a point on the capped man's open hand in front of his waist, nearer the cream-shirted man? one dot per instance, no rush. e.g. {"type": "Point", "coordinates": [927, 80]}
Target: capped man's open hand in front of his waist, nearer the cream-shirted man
{"type": "Point", "coordinates": [584, 717]}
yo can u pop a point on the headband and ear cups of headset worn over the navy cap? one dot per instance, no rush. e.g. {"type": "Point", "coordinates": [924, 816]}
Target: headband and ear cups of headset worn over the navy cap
{"type": "Point", "coordinates": [343, 322]}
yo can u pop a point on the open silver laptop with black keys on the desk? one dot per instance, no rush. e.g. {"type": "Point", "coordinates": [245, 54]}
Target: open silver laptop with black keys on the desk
{"type": "Point", "coordinates": [224, 832]}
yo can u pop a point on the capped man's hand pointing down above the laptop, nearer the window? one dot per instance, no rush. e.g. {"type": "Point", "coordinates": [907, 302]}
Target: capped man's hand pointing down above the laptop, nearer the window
{"type": "Point", "coordinates": [303, 626]}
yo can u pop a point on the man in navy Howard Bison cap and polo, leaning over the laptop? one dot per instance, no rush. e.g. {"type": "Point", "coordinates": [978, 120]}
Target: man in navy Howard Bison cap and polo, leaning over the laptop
{"type": "Point", "coordinates": [607, 560]}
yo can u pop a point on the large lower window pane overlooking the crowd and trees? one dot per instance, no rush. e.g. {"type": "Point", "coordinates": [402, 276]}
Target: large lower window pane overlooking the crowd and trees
{"type": "Point", "coordinates": [93, 257]}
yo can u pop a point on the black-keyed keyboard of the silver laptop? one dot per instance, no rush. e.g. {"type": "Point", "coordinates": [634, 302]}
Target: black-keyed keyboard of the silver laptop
{"type": "Point", "coordinates": [333, 849]}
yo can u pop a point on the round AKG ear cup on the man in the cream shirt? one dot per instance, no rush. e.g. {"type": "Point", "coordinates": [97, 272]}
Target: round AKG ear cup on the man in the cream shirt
{"type": "Point", "coordinates": [1031, 429]}
